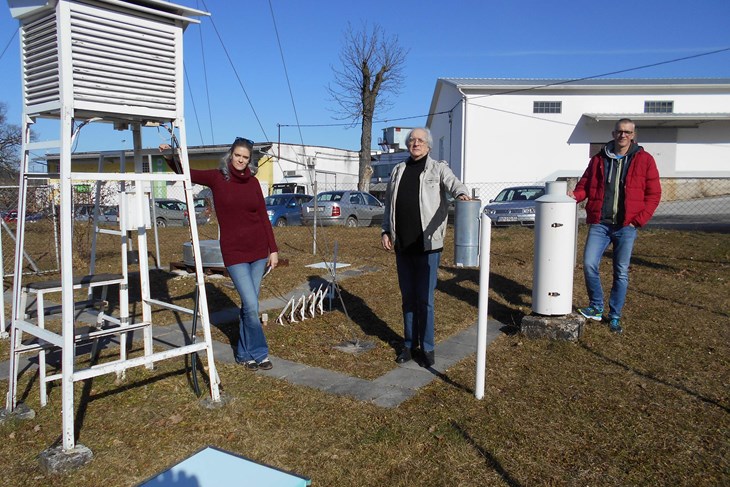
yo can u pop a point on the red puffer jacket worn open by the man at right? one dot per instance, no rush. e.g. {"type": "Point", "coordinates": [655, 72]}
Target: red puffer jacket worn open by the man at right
{"type": "Point", "coordinates": [642, 189]}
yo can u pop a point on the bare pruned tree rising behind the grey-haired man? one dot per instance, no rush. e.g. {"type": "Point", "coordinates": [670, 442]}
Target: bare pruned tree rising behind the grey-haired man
{"type": "Point", "coordinates": [372, 68]}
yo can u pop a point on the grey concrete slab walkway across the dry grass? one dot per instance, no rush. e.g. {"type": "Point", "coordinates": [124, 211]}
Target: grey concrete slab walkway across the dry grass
{"type": "Point", "coordinates": [388, 390]}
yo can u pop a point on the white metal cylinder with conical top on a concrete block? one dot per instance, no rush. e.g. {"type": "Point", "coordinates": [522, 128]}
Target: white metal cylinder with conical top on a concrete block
{"type": "Point", "coordinates": [555, 224]}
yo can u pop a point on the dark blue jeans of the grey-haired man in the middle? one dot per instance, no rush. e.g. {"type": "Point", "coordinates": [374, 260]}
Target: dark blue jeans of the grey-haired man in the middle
{"type": "Point", "coordinates": [417, 275]}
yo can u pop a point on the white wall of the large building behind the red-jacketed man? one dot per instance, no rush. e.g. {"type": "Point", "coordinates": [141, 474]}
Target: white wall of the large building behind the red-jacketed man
{"type": "Point", "coordinates": [507, 142]}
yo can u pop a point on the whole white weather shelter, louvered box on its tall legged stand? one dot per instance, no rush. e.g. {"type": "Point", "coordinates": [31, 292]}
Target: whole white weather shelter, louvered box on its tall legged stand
{"type": "Point", "coordinates": [94, 39]}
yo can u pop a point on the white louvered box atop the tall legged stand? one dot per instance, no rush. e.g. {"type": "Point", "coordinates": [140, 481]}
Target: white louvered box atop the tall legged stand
{"type": "Point", "coordinates": [121, 62]}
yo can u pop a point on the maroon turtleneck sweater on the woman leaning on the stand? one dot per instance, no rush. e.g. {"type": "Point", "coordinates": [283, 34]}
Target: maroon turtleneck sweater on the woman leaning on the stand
{"type": "Point", "coordinates": [246, 233]}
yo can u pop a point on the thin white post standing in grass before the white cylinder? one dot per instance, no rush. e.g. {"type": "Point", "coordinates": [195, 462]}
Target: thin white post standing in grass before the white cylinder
{"type": "Point", "coordinates": [484, 251]}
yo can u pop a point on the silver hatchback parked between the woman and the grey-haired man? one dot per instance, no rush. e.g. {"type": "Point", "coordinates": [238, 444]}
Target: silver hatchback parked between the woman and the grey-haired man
{"type": "Point", "coordinates": [348, 208]}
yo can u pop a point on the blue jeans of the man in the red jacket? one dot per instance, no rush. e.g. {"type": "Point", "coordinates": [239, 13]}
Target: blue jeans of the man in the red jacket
{"type": "Point", "coordinates": [599, 237]}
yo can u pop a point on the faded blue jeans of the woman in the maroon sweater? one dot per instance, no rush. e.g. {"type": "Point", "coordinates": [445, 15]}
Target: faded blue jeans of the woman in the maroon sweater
{"type": "Point", "coordinates": [251, 339]}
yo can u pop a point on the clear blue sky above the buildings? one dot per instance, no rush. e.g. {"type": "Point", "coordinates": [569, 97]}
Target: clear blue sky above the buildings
{"type": "Point", "coordinates": [471, 38]}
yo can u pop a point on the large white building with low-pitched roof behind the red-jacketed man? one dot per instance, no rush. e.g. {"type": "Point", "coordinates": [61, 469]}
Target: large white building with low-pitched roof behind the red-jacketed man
{"type": "Point", "coordinates": [528, 130]}
